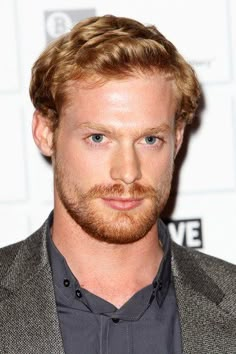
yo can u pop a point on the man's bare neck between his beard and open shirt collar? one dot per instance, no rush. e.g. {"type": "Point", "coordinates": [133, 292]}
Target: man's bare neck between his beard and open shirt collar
{"type": "Point", "coordinates": [101, 267]}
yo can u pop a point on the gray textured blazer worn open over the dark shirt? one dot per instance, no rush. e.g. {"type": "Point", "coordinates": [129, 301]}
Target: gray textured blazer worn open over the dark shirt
{"type": "Point", "coordinates": [205, 290]}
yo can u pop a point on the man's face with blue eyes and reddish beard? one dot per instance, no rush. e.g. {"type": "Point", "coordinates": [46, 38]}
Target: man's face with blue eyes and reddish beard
{"type": "Point", "coordinates": [114, 154]}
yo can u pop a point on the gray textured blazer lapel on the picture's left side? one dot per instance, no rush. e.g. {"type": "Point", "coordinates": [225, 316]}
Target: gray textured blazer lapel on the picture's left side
{"type": "Point", "coordinates": [28, 315]}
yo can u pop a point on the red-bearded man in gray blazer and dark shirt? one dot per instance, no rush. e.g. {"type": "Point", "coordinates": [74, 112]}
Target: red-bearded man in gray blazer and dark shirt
{"type": "Point", "coordinates": [112, 100]}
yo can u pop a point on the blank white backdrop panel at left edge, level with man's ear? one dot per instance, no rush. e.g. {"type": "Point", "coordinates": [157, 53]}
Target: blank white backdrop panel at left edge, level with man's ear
{"type": "Point", "coordinates": [13, 177]}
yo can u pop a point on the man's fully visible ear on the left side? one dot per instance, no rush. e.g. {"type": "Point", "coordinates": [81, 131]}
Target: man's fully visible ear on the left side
{"type": "Point", "coordinates": [42, 133]}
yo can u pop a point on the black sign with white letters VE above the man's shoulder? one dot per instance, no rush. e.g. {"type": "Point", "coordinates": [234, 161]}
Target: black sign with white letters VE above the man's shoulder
{"type": "Point", "coordinates": [186, 232]}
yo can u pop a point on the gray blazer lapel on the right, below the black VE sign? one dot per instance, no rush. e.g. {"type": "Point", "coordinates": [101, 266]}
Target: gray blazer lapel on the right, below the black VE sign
{"type": "Point", "coordinates": [207, 325]}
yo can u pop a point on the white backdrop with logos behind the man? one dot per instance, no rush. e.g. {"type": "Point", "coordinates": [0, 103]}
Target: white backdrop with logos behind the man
{"type": "Point", "coordinates": [204, 31]}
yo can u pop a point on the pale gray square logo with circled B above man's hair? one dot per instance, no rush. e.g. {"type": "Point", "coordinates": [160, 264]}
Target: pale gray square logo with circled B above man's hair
{"type": "Point", "coordinates": [61, 21]}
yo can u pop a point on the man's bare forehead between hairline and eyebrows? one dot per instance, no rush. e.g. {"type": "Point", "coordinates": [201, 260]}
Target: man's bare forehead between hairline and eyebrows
{"type": "Point", "coordinates": [137, 100]}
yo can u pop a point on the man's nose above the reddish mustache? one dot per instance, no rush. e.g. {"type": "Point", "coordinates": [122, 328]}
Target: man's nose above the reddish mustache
{"type": "Point", "coordinates": [125, 165]}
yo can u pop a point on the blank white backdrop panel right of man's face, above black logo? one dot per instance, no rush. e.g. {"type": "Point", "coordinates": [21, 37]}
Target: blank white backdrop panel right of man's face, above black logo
{"type": "Point", "coordinates": [211, 159]}
